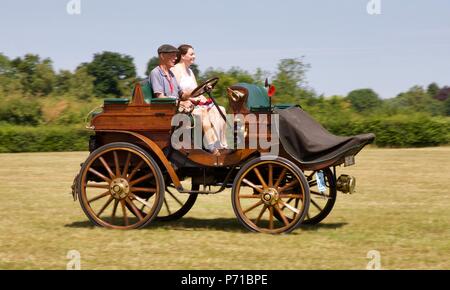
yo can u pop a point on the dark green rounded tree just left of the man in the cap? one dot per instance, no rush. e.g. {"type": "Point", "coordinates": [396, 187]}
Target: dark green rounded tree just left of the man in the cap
{"type": "Point", "coordinates": [114, 73]}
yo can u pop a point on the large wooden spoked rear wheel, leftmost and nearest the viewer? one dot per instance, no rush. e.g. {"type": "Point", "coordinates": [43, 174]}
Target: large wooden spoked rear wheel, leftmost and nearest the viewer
{"type": "Point", "coordinates": [121, 186]}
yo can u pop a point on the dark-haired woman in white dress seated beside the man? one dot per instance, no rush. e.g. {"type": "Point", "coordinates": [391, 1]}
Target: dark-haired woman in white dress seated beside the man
{"type": "Point", "coordinates": [212, 122]}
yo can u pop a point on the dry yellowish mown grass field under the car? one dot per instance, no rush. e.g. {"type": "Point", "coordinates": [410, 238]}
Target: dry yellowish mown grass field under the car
{"type": "Point", "coordinates": [401, 209]}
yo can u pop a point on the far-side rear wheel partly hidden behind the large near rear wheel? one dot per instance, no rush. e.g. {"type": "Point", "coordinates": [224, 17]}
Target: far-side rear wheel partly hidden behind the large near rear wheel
{"type": "Point", "coordinates": [176, 204]}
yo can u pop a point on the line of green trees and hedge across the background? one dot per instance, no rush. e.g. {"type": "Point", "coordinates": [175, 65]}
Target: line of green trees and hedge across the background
{"type": "Point", "coordinates": [33, 93]}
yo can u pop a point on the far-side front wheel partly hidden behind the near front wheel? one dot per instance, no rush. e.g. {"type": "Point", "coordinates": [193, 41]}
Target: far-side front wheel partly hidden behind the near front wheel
{"type": "Point", "coordinates": [322, 198]}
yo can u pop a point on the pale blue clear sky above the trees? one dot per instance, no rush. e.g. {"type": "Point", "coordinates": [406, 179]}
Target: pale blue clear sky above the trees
{"type": "Point", "coordinates": [407, 44]}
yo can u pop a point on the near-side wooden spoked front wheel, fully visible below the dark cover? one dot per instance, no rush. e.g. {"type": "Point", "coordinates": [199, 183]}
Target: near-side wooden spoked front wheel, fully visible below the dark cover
{"type": "Point", "coordinates": [271, 183]}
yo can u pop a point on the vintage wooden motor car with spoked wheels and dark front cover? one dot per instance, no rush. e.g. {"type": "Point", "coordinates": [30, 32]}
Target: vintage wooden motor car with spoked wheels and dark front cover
{"type": "Point", "coordinates": [135, 175]}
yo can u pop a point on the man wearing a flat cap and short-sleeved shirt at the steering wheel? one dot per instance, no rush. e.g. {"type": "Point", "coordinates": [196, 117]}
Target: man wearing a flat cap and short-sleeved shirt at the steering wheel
{"type": "Point", "coordinates": [161, 77]}
